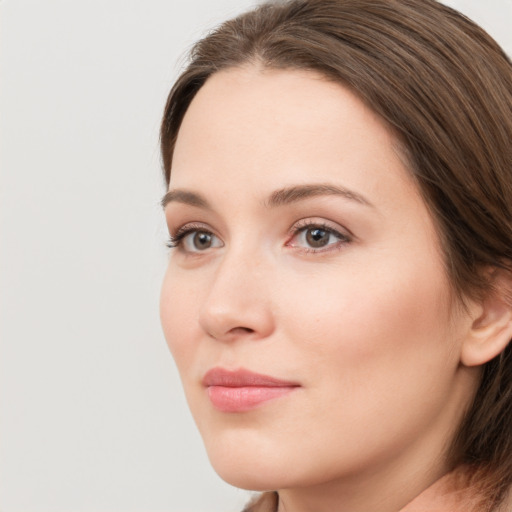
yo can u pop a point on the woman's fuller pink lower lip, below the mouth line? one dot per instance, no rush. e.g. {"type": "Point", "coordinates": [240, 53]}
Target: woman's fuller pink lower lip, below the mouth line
{"type": "Point", "coordinates": [244, 398]}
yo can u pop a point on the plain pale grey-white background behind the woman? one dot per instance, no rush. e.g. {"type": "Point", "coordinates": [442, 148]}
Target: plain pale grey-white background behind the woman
{"type": "Point", "coordinates": [92, 416]}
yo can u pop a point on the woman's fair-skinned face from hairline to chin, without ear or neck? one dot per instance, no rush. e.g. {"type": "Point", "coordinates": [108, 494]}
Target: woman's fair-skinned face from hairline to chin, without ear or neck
{"type": "Point", "coordinates": [306, 303]}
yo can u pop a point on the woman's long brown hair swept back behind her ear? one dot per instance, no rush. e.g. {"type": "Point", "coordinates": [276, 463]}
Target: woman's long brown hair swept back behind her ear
{"type": "Point", "coordinates": [444, 86]}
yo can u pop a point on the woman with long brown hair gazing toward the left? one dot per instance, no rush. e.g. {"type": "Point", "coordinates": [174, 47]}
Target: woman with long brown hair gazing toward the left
{"type": "Point", "coordinates": [339, 295]}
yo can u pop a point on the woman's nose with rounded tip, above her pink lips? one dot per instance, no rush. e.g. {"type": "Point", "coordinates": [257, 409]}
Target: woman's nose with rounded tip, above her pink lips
{"type": "Point", "coordinates": [238, 302]}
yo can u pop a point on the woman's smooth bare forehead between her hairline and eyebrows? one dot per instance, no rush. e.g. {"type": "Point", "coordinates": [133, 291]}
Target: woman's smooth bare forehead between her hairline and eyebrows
{"type": "Point", "coordinates": [272, 128]}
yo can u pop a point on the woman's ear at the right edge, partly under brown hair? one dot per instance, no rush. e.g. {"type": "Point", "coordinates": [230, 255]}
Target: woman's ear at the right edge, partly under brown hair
{"type": "Point", "coordinates": [491, 329]}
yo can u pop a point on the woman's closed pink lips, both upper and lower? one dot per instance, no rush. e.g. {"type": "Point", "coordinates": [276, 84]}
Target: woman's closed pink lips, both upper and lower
{"type": "Point", "coordinates": [242, 390]}
